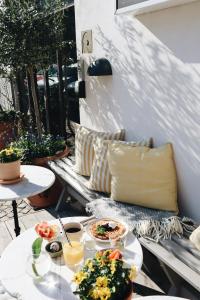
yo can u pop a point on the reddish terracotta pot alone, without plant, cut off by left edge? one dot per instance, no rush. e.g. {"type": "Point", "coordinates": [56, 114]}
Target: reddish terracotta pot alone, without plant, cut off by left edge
{"type": "Point", "coordinates": [6, 133]}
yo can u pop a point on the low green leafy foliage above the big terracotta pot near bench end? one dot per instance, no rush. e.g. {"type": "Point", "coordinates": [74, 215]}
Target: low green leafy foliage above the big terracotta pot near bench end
{"type": "Point", "coordinates": [35, 147]}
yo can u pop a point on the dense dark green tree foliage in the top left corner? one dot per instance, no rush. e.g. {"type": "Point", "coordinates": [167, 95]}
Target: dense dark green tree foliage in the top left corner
{"type": "Point", "coordinates": [30, 32]}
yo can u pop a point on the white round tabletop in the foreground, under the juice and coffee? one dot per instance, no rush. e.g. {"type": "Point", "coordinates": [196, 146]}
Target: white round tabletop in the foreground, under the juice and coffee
{"type": "Point", "coordinates": [58, 284]}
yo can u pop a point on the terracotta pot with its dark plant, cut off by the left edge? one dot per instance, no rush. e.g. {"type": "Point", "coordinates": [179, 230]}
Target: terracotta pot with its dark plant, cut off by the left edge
{"type": "Point", "coordinates": [8, 120]}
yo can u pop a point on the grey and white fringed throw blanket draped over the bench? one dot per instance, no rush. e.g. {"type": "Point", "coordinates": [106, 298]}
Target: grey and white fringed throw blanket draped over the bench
{"type": "Point", "coordinates": [144, 222]}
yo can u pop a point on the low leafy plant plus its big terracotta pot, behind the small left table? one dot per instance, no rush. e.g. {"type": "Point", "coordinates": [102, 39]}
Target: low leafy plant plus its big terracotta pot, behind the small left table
{"type": "Point", "coordinates": [39, 151]}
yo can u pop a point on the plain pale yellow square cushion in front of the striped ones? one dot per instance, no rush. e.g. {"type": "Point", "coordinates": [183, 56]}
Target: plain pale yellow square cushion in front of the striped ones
{"type": "Point", "coordinates": [143, 176]}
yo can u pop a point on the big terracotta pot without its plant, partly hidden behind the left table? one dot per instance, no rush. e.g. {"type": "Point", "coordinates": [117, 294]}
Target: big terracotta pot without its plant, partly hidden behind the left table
{"type": "Point", "coordinates": [50, 196]}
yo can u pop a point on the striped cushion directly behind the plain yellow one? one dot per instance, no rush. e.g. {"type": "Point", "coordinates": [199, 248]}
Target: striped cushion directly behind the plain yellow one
{"type": "Point", "coordinates": [100, 179]}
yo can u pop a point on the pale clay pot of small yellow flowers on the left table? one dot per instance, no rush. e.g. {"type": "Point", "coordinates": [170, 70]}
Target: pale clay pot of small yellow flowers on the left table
{"type": "Point", "coordinates": [10, 164]}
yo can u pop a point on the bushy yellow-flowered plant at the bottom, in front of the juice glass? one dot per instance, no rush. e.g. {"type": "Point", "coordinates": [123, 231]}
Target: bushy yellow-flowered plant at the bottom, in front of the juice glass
{"type": "Point", "coordinates": [105, 277]}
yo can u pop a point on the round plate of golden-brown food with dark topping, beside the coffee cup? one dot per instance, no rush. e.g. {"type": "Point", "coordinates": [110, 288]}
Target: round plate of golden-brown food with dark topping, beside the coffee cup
{"type": "Point", "coordinates": [107, 229]}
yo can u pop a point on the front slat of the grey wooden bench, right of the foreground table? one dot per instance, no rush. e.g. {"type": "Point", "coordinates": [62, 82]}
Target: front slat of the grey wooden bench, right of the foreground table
{"type": "Point", "coordinates": [169, 259]}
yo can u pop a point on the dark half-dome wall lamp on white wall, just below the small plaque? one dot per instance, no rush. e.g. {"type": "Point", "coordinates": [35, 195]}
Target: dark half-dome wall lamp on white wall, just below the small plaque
{"type": "Point", "coordinates": [100, 67]}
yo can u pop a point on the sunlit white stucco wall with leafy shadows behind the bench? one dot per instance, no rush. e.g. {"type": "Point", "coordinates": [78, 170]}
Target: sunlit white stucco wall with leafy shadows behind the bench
{"type": "Point", "coordinates": [155, 87]}
